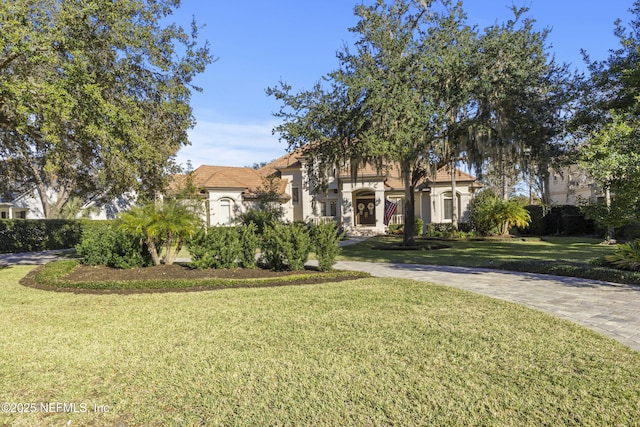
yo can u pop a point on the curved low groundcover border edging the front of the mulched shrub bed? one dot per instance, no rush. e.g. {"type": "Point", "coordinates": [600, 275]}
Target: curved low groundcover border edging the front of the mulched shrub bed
{"type": "Point", "coordinates": [51, 277]}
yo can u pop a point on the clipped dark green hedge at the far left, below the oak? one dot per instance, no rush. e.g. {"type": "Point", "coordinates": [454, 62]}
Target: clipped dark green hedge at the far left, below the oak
{"type": "Point", "coordinates": [30, 235]}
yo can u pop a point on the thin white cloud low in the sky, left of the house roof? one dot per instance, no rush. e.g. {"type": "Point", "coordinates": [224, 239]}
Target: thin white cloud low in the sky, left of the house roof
{"type": "Point", "coordinates": [231, 144]}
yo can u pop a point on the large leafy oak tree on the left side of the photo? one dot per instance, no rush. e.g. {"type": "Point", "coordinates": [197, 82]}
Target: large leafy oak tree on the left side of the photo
{"type": "Point", "coordinates": [94, 97]}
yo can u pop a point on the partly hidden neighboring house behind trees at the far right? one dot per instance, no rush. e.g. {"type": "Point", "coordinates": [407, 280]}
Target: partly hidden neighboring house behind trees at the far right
{"type": "Point", "coordinates": [570, 185]}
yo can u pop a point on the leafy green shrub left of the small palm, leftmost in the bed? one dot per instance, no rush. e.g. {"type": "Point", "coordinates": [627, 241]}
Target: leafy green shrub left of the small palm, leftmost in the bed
{"type": "Point", "coordinates": [106, 243]}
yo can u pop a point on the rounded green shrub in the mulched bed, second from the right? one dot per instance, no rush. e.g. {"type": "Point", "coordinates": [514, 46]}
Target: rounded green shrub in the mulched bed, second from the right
{"type": "Point", "coordinates": [286, 246]}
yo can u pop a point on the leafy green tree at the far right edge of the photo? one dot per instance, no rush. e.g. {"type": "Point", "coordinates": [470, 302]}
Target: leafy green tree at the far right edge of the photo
{"type": "Point", "coordinates": [608, 127]}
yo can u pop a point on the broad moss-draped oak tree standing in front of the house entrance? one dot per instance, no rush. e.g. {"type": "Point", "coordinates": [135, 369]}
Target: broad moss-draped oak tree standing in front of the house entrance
{"type": "Point", "coordinates": [422, 88]}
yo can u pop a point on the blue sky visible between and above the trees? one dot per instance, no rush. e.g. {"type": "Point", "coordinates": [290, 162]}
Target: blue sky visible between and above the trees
{"type": "Point", "coordinates": [260, 43]}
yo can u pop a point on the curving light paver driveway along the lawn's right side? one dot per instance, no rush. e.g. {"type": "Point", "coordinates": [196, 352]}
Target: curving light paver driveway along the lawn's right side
{"type": "Point", "coordinates": [608, 308]}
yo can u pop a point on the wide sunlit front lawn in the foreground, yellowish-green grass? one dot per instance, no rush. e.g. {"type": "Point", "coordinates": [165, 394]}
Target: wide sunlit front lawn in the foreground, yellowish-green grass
{"type": "Point", "coordinates": [363, 352]}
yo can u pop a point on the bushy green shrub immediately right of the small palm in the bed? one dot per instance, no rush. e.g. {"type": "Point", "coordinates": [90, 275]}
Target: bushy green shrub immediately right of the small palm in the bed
{"type": "Point", "coordinates": [215, 247]}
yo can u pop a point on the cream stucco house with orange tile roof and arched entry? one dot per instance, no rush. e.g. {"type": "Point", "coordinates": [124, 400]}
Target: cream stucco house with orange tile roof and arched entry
{"type": "Point", "coordinates": [358, 205]}
